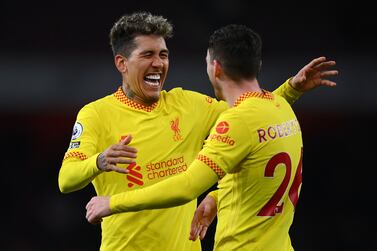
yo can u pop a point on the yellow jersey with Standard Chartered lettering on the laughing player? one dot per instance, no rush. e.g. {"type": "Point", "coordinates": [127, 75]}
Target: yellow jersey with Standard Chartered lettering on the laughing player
{"type": "Point", "coordinates": [168, 136]}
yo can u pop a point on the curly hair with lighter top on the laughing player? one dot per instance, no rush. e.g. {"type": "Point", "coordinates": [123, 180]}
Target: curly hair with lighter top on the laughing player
{"type": "Point", "coordinates": [124, 31]}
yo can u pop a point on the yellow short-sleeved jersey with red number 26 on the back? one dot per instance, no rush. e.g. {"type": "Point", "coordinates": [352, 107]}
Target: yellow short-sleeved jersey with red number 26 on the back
{"type": "Point", "coordinates": [258, 145]}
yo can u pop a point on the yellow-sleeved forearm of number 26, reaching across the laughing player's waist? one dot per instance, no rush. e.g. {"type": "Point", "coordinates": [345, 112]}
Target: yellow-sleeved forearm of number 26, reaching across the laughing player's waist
{"type": "Point", "coordinates": [171, 192]}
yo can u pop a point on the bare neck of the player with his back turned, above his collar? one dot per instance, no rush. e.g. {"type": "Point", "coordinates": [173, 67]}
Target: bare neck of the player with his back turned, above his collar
{"type": "Point", "coordinates": [233, 90]}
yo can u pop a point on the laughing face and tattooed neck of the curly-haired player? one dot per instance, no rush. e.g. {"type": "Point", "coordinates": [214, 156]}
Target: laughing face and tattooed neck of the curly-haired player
{"type": "Point", "coordinates": [144, 71]}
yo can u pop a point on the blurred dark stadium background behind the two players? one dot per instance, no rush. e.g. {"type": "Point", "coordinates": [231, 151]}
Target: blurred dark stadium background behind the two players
{"type": "Point", "coordinates": [55, 57]}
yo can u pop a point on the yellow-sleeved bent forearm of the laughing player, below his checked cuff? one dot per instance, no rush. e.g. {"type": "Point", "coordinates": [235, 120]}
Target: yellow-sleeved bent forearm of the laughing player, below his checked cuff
{"type": "Point", "coordinates": [75, 175]}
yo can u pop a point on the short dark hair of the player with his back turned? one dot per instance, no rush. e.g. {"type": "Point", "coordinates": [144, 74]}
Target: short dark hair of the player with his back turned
{"type": "Point", "coordinates": [238, 49]}
